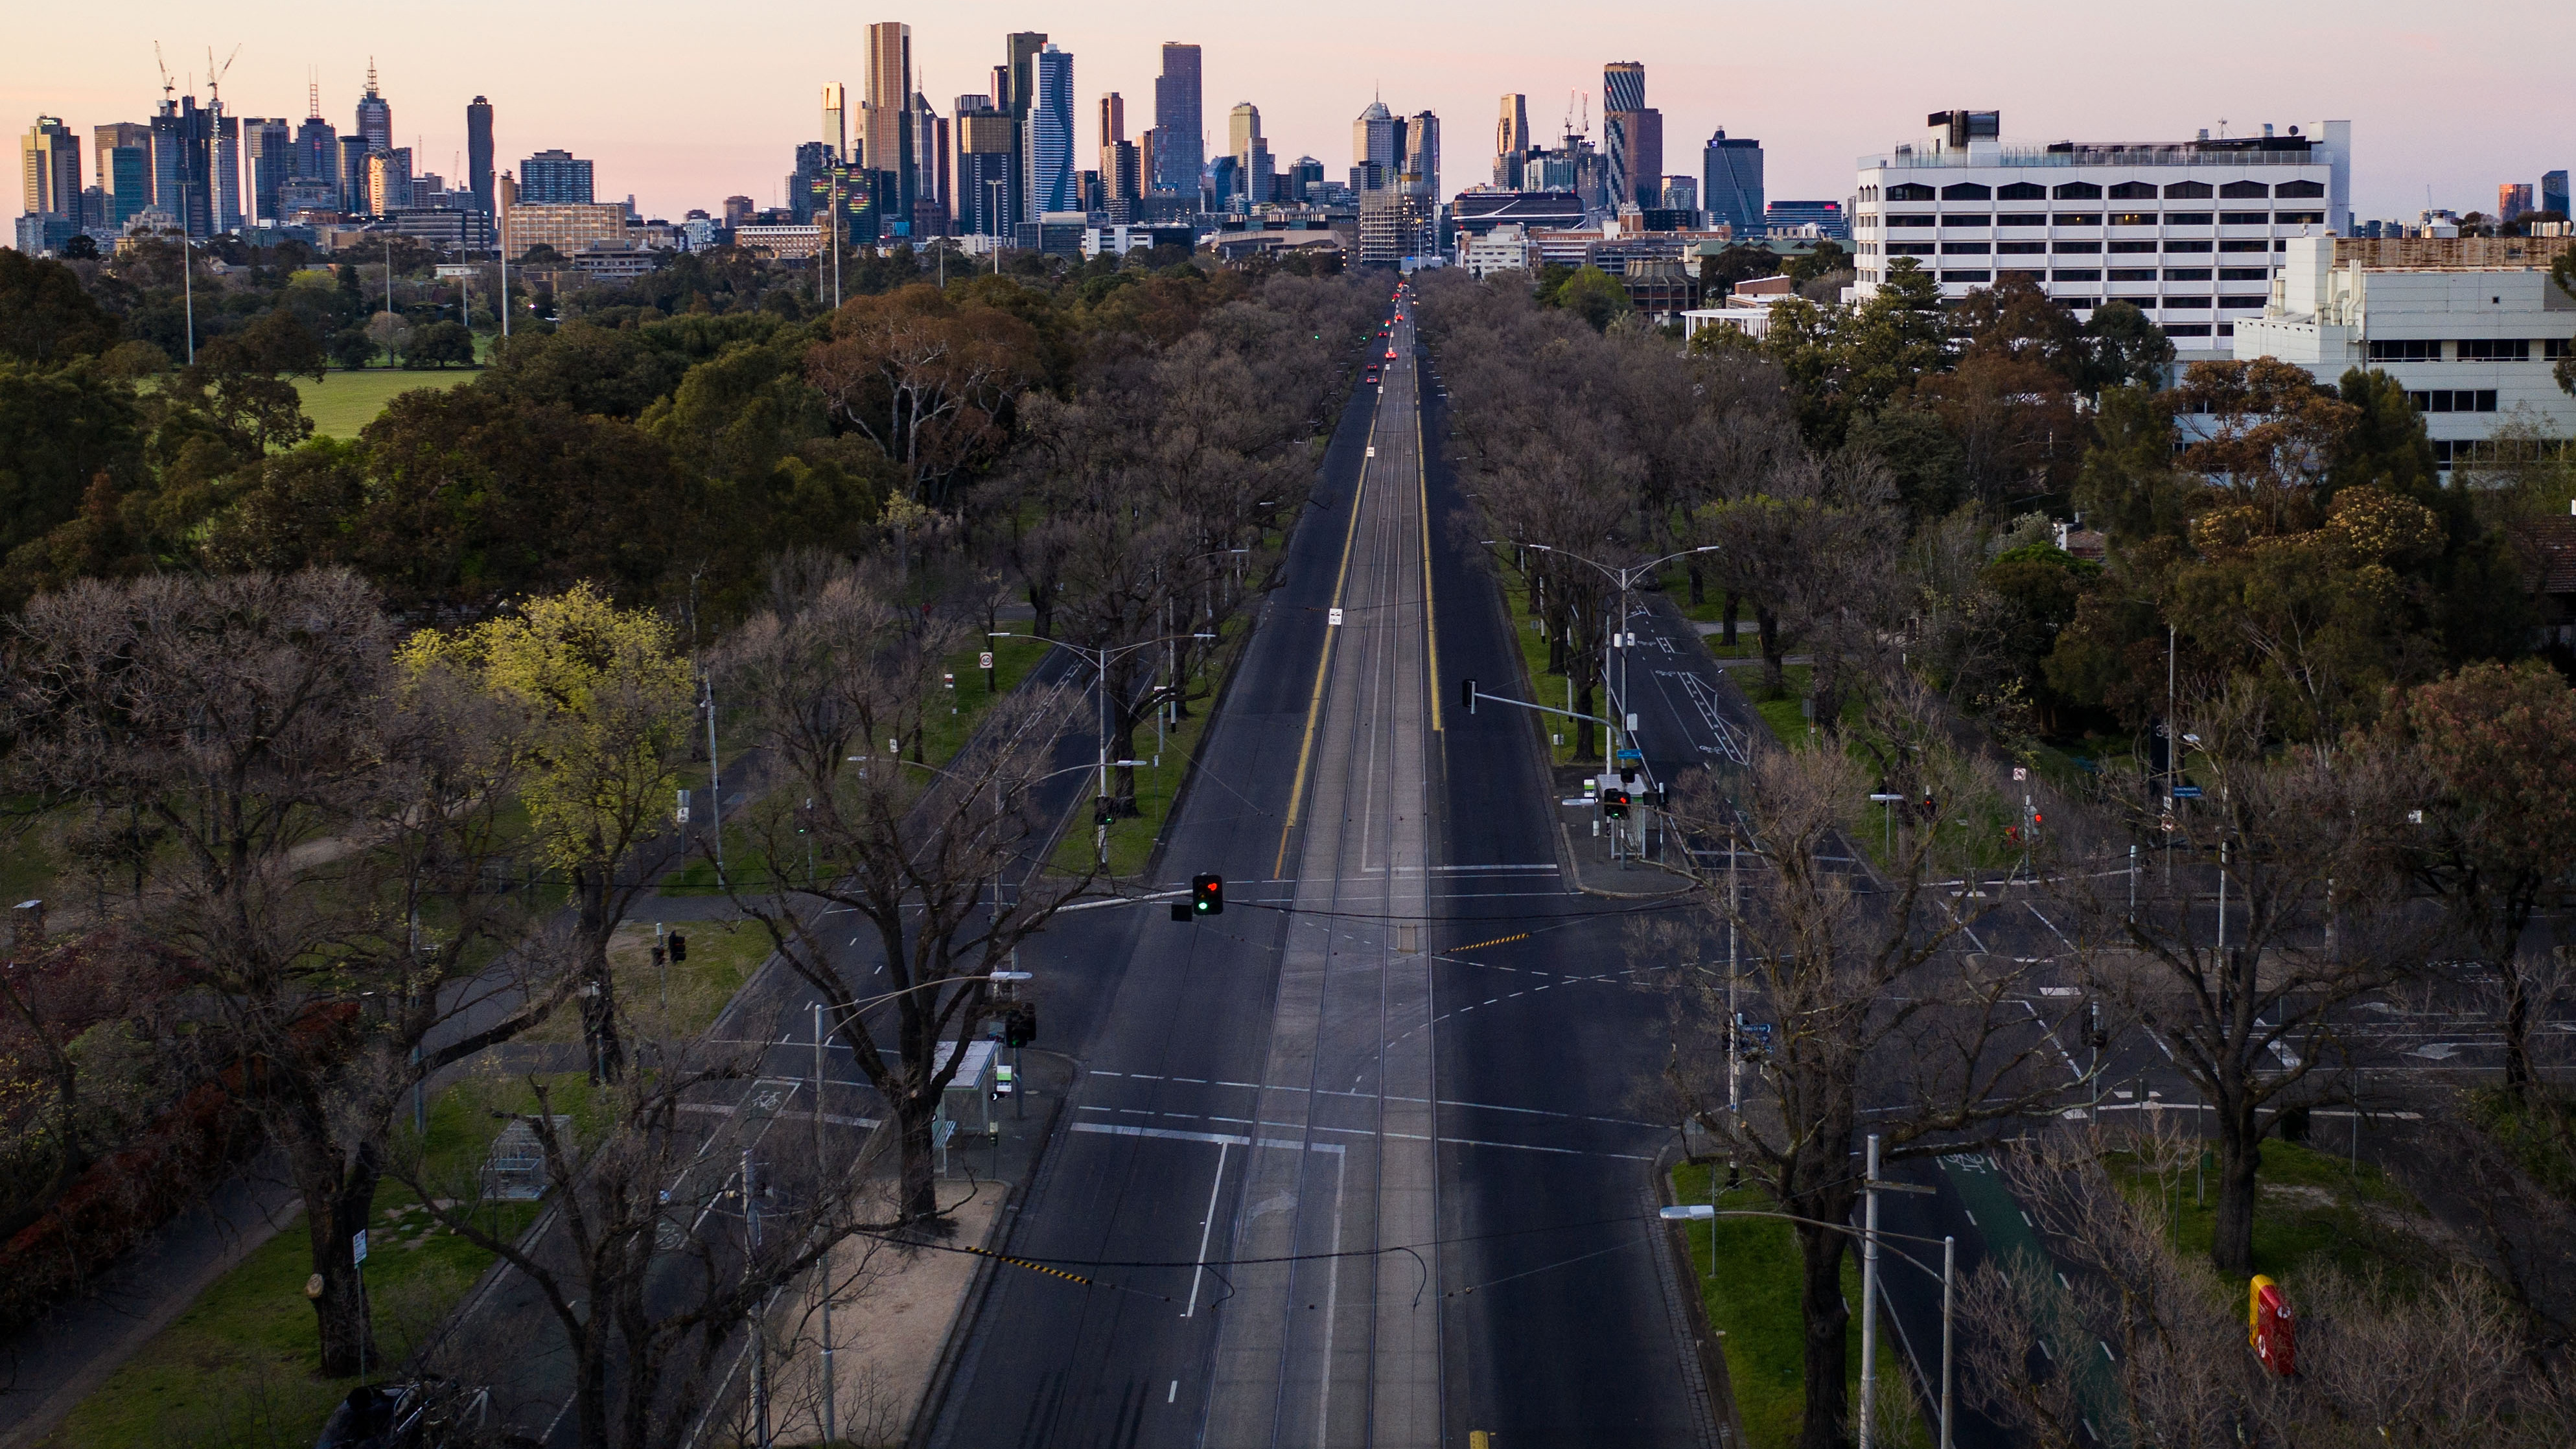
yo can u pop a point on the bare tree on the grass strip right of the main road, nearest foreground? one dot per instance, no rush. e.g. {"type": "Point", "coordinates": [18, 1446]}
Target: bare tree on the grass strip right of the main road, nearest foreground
{"type": "Point", "coordinates": [1874, 990]}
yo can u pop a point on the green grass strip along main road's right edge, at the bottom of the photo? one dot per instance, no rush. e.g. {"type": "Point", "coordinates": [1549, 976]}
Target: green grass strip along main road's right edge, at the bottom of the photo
{"type": "Point", "coordinates": [1750, 1288]}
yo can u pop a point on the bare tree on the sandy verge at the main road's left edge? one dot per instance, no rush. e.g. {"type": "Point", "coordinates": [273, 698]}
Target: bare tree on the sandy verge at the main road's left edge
{"type": "Point", "coordinates": [918, 853]}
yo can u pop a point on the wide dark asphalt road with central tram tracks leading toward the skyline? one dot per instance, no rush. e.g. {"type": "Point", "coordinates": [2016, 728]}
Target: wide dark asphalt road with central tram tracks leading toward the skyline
{"type": "Point", "coordinates": [1369, 1157]}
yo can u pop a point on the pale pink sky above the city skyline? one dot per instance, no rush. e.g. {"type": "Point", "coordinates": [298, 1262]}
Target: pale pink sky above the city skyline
{"type": "Point", "coordinates": [684, 107]}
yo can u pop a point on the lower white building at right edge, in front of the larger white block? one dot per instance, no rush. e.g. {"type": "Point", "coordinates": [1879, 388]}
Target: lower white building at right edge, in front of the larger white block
{"type": "Point", "coordinates": [2469, 326]}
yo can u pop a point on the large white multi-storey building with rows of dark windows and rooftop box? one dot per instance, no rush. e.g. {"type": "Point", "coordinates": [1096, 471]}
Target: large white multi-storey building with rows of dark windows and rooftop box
{"type": "Point", "coordinates": [2191, 233]}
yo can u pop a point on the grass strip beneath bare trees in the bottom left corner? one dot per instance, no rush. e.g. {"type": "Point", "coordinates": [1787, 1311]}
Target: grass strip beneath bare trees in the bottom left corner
{"type": "Point", "coordinates": [238, 1365]}
